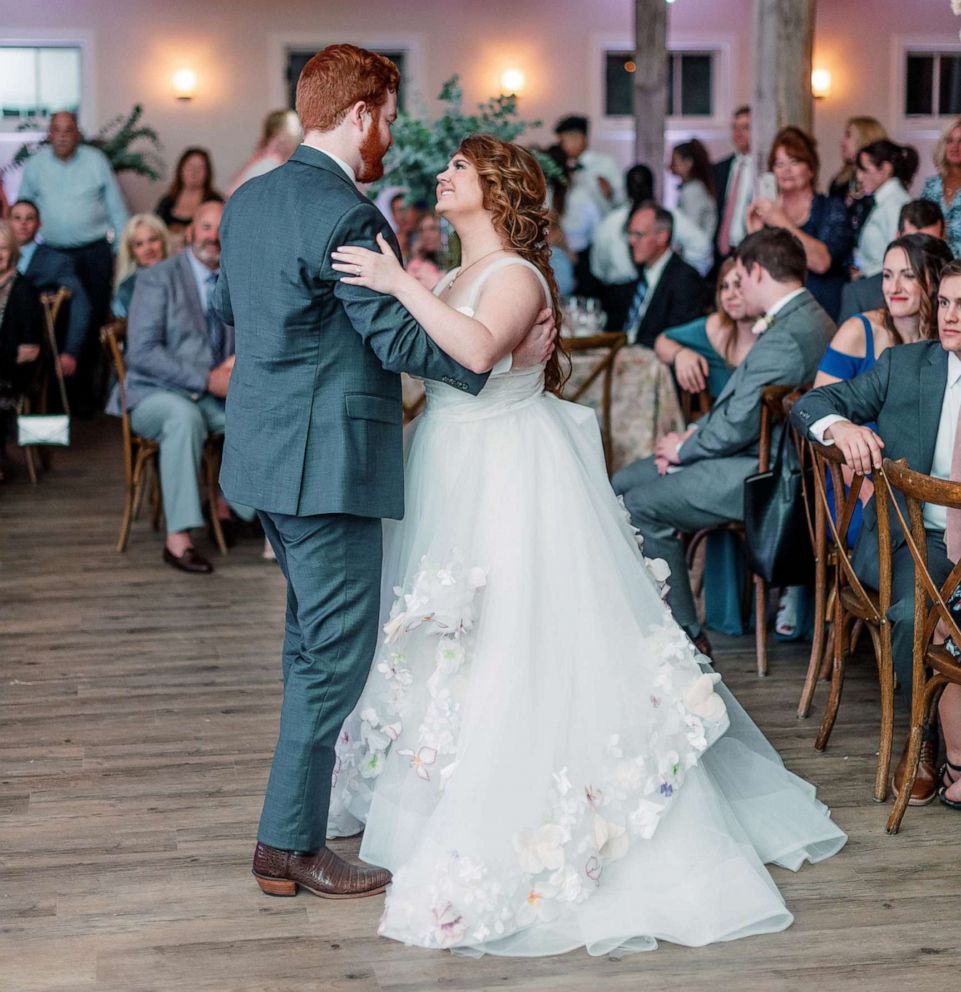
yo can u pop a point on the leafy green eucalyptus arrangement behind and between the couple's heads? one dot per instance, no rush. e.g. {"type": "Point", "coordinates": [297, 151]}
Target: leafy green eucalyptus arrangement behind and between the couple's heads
{"type": "Point", "coordinates": [423, 147]}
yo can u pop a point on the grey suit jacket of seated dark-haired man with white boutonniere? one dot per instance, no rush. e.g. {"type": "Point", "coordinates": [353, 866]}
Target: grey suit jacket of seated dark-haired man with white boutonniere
{"type": "Point", "coordinates": [726, 439]}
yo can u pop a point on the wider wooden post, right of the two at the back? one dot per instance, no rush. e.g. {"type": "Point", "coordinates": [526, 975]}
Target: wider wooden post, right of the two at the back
{"type": "Point", "coordinates": [783, 42]}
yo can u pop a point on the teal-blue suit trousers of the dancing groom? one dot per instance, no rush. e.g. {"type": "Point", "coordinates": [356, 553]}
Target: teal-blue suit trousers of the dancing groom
{"type": "Point", "coordinates": [332, 563]}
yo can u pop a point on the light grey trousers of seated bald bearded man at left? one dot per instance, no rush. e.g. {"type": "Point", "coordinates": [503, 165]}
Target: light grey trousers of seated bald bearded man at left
{"type": "Point", "coordinates": [181, 426]}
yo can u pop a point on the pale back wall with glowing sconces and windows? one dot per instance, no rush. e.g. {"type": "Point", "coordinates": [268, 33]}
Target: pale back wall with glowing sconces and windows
{"type": "Point", "coordinates": [236, 48]}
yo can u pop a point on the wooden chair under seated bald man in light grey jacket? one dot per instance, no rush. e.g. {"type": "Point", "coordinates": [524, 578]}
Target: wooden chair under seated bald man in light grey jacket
{"type": "Point", "coordinates": [141, 454]}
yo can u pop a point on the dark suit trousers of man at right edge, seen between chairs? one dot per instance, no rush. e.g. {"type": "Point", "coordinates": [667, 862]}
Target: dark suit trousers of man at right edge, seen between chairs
{"type": "Point", "coordinates": [901, 611]}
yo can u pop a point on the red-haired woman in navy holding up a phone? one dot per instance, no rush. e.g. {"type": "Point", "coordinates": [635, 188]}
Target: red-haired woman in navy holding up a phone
{"type": "Point", "coordinates": [819, 222]}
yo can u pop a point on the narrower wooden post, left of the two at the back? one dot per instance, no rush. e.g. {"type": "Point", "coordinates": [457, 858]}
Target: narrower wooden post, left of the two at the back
{"type": "Point", "coordinates": [650, 86]}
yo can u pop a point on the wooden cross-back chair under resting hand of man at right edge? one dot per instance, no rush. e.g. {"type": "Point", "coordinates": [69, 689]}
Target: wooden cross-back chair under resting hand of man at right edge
{"type": "Point", "coordinates": [851, 601]}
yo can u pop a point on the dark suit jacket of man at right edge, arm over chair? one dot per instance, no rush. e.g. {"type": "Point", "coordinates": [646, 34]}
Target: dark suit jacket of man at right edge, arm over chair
{"type": "Point", "coordinates": [903, 394]}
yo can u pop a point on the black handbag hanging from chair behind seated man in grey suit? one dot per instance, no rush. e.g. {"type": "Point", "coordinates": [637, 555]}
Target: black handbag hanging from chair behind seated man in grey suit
{"type": "Point", "coordinates": [775, 519]}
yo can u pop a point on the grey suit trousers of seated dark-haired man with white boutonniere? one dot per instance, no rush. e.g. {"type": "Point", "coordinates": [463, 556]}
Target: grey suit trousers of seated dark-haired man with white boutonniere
{"type": "Point", "coordinates": [660, 507]}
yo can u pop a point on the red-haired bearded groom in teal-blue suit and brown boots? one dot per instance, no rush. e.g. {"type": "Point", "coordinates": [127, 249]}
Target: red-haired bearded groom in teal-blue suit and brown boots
{"type": "Point", "coordinates": [313, 434]}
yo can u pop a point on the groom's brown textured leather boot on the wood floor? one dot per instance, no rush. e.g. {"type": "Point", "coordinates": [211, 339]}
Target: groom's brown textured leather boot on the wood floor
{"type": "Point", "coordinates": [279, 873]}
